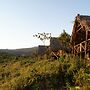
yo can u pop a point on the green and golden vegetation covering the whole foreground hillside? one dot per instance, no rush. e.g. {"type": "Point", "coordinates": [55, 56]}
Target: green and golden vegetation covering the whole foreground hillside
{"type": "Point", "coordinates": [25, 73]}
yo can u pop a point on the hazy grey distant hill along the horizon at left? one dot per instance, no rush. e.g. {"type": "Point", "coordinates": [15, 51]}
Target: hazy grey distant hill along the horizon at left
{"type": "Point", "coordinates": [22, 51]}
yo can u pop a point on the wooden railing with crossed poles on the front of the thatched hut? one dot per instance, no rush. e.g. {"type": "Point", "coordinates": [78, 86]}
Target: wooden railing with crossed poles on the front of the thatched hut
{"type": "Point", "coordinates": [82, 47]}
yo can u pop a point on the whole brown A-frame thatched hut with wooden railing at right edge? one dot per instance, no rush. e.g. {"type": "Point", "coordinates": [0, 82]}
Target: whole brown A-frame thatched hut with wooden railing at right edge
{"type": "Point", "coordinates": [80, 38]}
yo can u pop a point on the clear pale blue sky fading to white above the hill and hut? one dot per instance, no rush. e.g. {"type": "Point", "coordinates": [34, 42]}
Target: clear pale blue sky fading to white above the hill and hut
{"type": "Point", "coordinates": [21, 19]}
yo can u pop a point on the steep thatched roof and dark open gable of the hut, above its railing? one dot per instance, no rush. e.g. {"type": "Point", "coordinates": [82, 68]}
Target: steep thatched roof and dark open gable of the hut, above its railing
{"type": "Point", "coordinates": [81, 24]}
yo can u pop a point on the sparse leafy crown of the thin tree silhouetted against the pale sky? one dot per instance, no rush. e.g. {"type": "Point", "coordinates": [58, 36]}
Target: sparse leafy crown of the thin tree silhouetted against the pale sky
{"type": "Point", "coordinates": [43, 36]}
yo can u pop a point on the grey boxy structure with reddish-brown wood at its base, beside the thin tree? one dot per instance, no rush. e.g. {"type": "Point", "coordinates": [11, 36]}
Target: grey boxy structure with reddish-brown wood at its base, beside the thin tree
{"type": "Point", "coordinates": [56, 47]}
